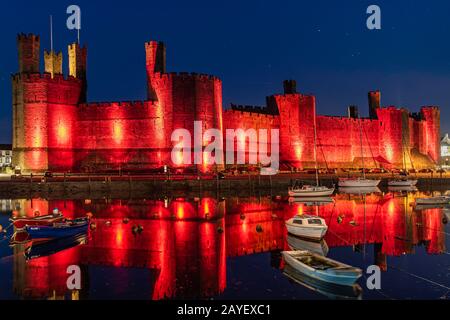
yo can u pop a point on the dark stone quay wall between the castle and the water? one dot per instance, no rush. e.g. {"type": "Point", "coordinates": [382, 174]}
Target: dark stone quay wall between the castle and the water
{"type": "Point", "coordinates": [144, 187]}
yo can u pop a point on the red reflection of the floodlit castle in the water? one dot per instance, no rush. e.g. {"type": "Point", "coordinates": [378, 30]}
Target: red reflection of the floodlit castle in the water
{"type": "Point", "coordinates": [184, 244]}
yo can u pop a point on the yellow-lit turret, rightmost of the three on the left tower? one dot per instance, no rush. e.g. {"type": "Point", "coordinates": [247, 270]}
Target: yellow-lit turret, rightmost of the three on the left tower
{"type": "Point", "coordinates": [78, 66]}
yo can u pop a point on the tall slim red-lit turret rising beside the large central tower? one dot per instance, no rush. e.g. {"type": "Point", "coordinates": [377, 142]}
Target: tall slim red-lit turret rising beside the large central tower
{"type": "Point", "coordinates": [155, 62]}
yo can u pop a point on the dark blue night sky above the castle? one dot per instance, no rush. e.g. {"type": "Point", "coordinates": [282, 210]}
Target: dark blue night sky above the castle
{"type": "Point", "coordinates": [252, 46]}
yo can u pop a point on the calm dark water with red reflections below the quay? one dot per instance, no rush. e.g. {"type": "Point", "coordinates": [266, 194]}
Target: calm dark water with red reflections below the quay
{"type": "Point", "coordinates": [230, 249]}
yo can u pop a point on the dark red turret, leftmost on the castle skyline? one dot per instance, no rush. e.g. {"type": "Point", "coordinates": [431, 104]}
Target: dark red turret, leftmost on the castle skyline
{"type": "Point", "coordinates": [28, 47]}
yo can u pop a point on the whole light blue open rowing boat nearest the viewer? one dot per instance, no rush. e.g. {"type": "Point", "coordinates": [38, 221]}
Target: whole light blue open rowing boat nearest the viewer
{"type": "Point", "coordinates": [322, 268]}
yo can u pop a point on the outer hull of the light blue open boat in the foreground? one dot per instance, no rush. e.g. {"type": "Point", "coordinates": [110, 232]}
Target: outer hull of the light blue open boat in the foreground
{"type": "Point", "coordinates": [344, 279]}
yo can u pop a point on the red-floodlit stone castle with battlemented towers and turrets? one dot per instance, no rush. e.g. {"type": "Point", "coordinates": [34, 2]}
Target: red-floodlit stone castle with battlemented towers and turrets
{"type": "Point", "coordinates": [56, 129]}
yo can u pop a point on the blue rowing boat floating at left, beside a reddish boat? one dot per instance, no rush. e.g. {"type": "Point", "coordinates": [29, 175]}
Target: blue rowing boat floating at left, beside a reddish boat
{"type": "Point", "coordinates": [59, 230]}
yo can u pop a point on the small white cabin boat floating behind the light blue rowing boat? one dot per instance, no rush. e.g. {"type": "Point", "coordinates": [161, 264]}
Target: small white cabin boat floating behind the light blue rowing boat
{"type": "Point", "coordinates": [306, 226]}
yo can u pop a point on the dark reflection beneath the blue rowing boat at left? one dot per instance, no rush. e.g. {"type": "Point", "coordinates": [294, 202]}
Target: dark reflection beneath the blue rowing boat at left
{"type": "Point", "coordinates": [48, 248]}
